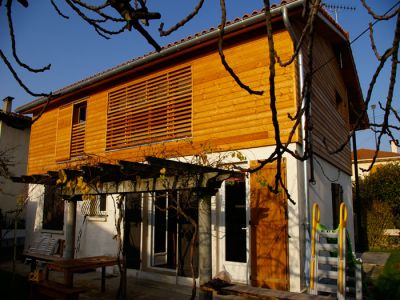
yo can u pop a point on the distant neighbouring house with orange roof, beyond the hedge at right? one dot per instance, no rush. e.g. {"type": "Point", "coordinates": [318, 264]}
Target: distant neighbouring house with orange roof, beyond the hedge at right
{"type": "Point", "coordinates": [365, 158]}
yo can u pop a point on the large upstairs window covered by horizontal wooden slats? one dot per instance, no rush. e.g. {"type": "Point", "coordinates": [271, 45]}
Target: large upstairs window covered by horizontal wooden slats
{"type": "Point", "coordinates": [157, 109]}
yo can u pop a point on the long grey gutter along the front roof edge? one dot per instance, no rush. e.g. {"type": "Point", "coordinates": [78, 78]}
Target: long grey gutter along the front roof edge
{"type": "Point", "coordinates": [154, 56]}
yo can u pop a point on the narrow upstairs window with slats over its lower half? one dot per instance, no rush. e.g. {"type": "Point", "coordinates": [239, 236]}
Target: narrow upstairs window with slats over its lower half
{"type": "Point", "coordinates": [78, 129]}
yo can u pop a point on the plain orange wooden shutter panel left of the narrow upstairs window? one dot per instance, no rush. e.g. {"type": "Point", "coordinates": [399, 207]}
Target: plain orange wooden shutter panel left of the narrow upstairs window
{"type": "Point", "coordinates": [63, 139]}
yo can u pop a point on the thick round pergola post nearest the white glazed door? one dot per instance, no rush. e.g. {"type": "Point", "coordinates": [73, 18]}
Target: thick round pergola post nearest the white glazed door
{"type": "Point", "coordinates": [205, 253]}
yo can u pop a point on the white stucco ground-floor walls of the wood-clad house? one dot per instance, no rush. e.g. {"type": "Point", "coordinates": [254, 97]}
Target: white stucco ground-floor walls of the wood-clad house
{"type": "Point", "coordinates": [96, 235]}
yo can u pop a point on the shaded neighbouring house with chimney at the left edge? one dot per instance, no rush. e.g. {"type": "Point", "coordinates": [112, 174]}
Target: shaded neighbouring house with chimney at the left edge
{"type": "Point", "coordinates": [14, 142]}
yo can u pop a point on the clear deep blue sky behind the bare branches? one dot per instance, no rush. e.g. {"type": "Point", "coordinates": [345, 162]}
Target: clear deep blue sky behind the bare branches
{"type": "Point", "coordinates": [75, 51]}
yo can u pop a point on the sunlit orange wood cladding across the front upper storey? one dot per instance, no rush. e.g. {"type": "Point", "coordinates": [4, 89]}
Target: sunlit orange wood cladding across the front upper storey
{"type": "Point", "coordinates": [194, 100]}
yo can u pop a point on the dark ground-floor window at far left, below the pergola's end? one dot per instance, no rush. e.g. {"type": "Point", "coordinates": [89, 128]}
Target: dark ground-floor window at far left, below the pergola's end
{"type": "Point", "coordinates": [53, 209]}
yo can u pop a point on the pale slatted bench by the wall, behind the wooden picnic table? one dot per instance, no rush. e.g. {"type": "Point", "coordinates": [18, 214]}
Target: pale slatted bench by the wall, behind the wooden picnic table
{"type": "Point", "coordinates": [44, 249]}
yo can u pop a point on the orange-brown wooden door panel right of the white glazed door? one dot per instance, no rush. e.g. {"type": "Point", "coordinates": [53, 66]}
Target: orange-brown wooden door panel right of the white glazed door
{"type": "Point", "coordinates": [269, 230]}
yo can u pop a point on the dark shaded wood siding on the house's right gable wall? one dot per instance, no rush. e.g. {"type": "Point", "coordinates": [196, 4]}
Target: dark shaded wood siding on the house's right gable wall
{"type": "Point", "coordinates": [331, 119]}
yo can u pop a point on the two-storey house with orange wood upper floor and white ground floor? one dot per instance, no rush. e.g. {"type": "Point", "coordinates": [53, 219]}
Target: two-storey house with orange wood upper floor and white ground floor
{"type": "Point", "coordinates": [179, 104]}
